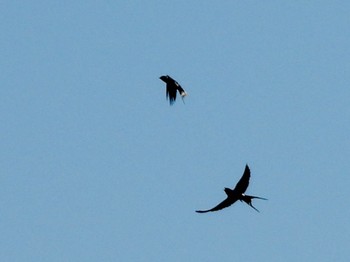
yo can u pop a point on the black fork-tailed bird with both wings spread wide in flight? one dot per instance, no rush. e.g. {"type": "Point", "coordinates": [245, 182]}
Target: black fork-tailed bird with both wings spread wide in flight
{"type": "Point", "coordinates": [236, 194]}
